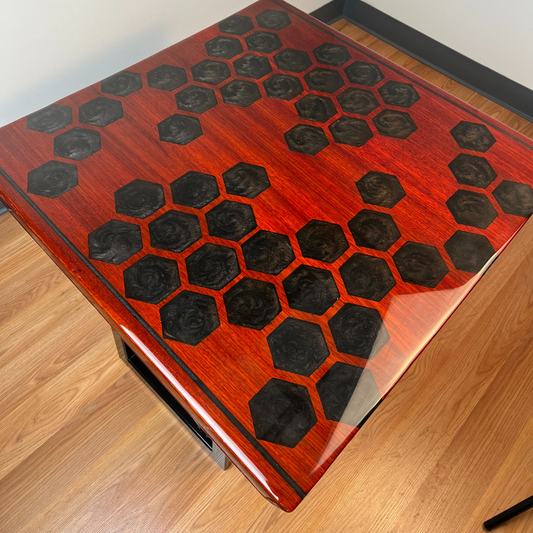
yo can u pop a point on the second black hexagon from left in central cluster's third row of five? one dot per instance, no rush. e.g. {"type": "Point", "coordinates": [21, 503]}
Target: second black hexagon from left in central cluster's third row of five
{"type": "Point", "coordinates": [212, 266]}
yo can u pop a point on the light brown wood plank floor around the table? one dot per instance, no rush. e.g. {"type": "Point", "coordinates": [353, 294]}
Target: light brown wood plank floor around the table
{"type": "Point", "coordinates": [85, 446]}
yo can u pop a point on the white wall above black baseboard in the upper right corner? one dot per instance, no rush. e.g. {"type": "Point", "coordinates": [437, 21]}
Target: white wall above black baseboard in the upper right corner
{"type": "Point", "coordinates": [495, 33]}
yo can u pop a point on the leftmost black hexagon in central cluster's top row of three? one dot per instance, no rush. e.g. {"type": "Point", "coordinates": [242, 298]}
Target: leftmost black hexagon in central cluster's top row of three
{"type": "Point", "coordinates": [139, 199]}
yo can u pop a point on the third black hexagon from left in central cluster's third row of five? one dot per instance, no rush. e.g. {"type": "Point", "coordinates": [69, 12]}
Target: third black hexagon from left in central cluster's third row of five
{"type": "Point", "coordinates": [267, 252]}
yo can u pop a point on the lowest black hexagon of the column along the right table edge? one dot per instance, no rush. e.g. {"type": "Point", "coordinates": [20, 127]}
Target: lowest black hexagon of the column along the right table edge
{"type": "Point", "coordinates": [469, 251]}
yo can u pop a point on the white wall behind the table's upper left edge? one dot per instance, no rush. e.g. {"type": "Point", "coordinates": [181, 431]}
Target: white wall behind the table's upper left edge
{"type": "Point", "coordinates": [51, 48]}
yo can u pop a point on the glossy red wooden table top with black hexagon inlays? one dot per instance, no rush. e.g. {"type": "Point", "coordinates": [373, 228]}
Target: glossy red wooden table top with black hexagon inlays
{"type": "Point", "coordinates": [276, 219]}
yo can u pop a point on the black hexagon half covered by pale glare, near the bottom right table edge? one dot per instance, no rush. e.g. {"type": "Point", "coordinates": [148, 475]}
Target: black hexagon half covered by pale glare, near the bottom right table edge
{"type": "Point", "coordinates": [348, 394]}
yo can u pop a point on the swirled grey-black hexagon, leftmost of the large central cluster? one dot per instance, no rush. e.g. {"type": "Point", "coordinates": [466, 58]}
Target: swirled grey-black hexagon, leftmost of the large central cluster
{"type": "Point", "coordinates": [114, 242]}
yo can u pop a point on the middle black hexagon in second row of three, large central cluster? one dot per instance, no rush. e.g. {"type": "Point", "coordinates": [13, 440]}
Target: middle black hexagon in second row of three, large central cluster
{"type": "Point", "coordinates": [174, 231]}
